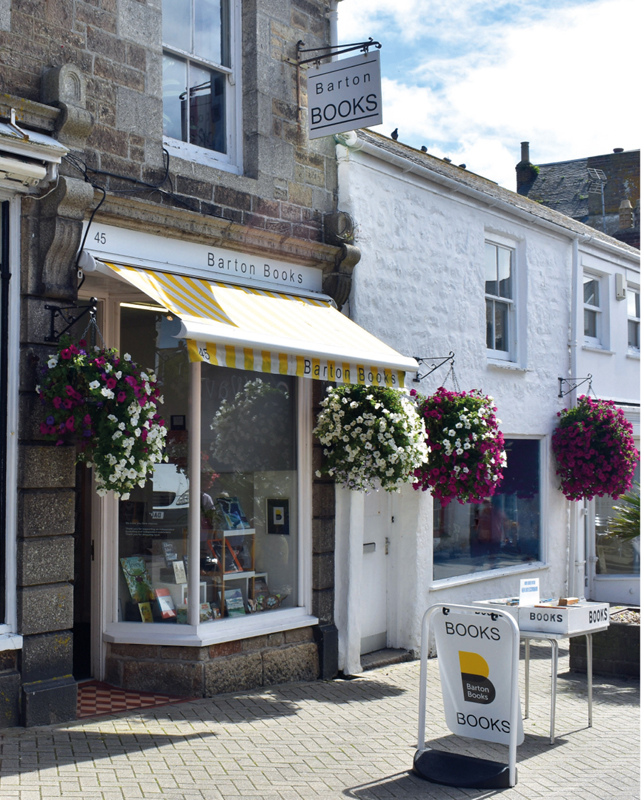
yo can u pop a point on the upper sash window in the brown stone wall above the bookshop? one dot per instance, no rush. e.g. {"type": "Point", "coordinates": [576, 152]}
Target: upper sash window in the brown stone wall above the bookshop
{"type": "Point", "coordinates": [199, 79]}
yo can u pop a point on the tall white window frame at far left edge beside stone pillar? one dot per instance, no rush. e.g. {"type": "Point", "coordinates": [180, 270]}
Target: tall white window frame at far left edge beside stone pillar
{"type": "Point", "coordinates": [9, 637]}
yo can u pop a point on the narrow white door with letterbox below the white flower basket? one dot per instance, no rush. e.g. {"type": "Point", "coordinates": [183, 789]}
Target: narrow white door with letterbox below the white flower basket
{"type": "Point", "coordinates": [373, 609]}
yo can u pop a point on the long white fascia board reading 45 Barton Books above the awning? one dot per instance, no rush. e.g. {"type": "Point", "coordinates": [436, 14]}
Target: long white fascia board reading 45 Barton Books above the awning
{"type": "Point", "coordinates": [134, 248]}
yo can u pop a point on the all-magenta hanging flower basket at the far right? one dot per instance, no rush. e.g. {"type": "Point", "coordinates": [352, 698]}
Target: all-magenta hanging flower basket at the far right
{"type": "Point", "coordinates": [594, 449]}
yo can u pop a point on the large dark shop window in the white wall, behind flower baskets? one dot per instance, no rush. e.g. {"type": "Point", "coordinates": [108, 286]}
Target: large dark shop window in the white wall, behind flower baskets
{"type": "Point", "coordinates": [503, 531]}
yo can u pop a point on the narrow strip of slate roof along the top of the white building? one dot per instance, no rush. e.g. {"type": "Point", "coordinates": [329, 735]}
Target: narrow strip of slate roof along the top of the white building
{"type": "Point", "coordinates": [492, 189]}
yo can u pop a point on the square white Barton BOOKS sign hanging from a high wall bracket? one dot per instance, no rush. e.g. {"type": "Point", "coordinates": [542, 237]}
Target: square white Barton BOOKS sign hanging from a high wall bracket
{"type": "Point", "coordinates": [344, 95]}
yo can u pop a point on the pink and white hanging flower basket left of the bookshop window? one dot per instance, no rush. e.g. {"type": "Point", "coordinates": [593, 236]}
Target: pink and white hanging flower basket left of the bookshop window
{"type": "Point", "coordinates": [109, 407]}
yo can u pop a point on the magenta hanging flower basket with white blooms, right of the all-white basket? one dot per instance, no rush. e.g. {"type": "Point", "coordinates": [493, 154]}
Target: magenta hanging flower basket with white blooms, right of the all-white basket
{"type": "Point", "coordinates": [467, 452]}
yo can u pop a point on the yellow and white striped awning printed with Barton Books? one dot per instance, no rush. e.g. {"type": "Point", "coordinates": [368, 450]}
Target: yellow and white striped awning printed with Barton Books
{"type": "Point", "coordinates": [262, 330]}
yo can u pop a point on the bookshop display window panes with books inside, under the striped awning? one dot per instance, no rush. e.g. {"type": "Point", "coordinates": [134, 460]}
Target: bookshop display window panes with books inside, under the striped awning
{"type": "Point", "coordinates": [248, 517]}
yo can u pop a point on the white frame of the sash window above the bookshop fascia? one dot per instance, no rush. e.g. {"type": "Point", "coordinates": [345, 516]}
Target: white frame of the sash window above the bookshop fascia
{"type": "Point", "coordinates": [232, 161]}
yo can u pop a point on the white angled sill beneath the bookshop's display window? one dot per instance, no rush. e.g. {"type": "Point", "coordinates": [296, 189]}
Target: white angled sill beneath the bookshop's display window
{"type": "Point", "coordinates": [222, 630]}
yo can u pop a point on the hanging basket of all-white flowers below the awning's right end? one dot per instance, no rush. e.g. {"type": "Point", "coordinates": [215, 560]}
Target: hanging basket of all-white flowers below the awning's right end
{"type": "Point", "coordinates": [372, 436]}
